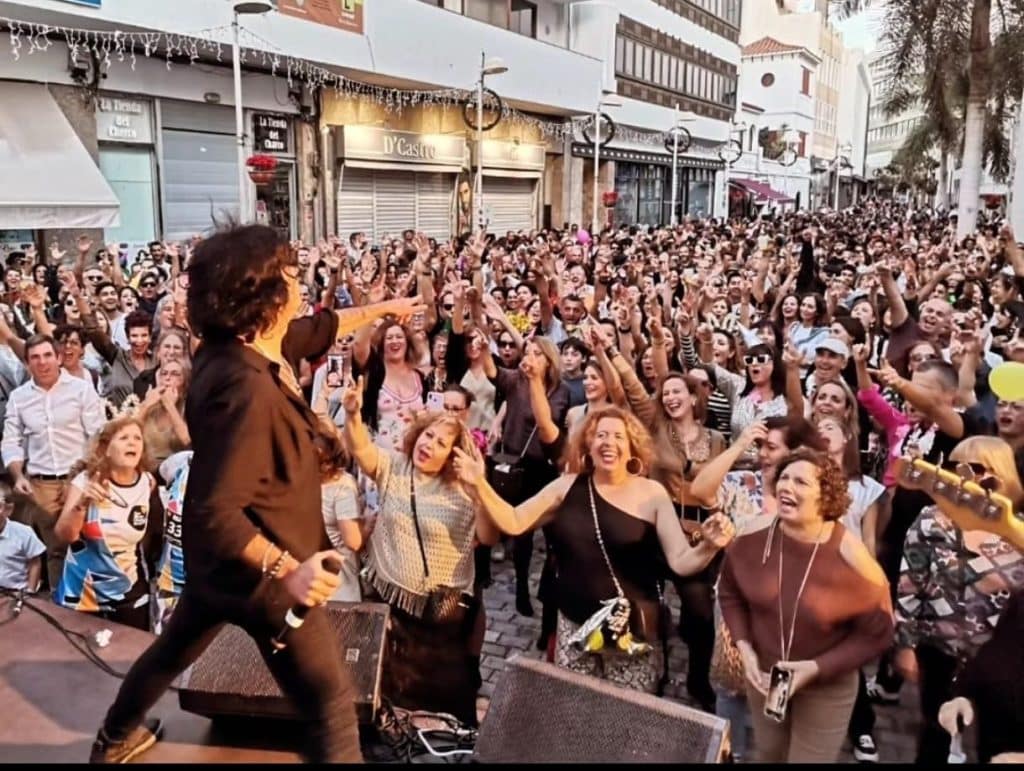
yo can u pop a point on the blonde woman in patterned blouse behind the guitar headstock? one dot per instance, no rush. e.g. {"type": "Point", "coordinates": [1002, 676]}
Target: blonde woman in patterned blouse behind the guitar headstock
{"type": "Point", "coordinates": [954, 586]}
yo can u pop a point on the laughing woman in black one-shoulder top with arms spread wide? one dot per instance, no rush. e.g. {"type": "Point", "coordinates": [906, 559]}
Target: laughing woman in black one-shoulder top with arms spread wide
{"type": "Point", "coordinates": [614, 529]}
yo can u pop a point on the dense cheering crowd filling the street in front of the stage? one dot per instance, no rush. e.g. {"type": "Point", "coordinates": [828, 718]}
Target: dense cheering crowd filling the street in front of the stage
{"type": "Point", "coordinates": [719, 406]}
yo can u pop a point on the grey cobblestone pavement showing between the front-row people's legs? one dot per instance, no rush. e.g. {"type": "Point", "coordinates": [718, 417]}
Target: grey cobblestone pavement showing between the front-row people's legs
{"type": "Point", "coordinates": [508, 634]}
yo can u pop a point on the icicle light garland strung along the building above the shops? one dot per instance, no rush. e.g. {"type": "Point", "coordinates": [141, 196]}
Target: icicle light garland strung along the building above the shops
{"type": "Point", "coordinates": [28, 38]}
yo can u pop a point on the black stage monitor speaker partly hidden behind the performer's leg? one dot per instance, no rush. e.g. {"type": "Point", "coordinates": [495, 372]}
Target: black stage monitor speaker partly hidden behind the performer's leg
{"type": "Point", "coordinates": [232, 679]}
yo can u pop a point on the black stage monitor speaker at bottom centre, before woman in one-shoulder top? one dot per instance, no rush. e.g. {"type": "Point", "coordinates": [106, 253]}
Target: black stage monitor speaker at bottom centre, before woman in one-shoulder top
{"type": "Point", "coordinates": [542, 713]}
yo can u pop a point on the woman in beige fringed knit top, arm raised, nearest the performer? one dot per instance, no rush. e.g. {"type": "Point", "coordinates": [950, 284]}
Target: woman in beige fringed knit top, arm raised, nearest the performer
{"type": "Point", "coordinates": [419, 559]}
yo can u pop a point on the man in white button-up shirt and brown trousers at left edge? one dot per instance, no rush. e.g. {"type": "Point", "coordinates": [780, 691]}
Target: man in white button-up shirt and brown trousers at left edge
{"type": "Point", "coordinates": [47, 431]}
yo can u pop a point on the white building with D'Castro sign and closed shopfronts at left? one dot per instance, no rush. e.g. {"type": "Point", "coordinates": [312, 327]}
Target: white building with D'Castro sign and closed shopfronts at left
{"type": "Point", "coordinates": [156, 140]}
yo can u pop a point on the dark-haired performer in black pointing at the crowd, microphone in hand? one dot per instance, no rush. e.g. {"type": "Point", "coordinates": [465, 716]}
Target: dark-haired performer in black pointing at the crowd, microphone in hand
{"type": "Point", "coordinates": [252, 529]}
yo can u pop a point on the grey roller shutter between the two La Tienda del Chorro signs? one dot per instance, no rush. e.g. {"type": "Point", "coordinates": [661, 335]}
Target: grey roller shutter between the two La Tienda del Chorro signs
{"type": "Point", "coordinates": [200, 183]}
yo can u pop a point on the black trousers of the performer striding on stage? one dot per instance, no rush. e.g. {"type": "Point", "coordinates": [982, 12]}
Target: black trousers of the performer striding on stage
{"type": "Point", "coordinates": [309, 671]}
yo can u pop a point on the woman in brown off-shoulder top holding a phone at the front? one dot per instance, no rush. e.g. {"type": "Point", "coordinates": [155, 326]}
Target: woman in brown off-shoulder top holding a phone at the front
{"type": "Point", "coordinates": [804, 595]}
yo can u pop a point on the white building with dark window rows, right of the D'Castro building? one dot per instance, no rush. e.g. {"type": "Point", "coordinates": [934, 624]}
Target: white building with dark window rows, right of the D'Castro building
{"type": "Point", "coordinates": [659, 57]}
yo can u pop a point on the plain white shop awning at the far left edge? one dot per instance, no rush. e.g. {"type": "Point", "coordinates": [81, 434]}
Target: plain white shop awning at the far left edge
{"type": "Point", "coordinates": [48, 178]}
